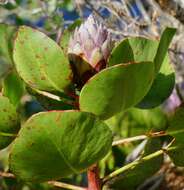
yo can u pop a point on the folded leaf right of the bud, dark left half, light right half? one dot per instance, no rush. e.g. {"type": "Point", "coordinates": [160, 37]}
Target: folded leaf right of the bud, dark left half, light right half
{"type": "Point", "coordinates": [136, 49]}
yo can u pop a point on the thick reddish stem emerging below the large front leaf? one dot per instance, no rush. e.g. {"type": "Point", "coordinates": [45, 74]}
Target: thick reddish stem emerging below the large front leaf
{"type": "Point", "coordinates": [94, 182]}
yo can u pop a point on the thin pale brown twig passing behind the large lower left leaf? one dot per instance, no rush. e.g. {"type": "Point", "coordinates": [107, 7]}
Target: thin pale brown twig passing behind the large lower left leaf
{"type": "Point", "coordinates": [53, 183]}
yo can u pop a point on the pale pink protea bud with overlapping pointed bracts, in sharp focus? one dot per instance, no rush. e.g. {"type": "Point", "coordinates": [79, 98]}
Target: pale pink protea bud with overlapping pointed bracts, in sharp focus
{"type": "Point", "coordinates": [92, 43]}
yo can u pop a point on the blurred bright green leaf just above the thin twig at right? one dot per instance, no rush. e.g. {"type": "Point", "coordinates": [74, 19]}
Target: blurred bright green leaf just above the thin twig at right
{"type": "Point", "coordinates": [136, 121]}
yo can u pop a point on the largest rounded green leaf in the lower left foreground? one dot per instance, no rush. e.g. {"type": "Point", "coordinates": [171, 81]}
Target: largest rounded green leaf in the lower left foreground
{"type": "Point", "coordinates": [56, 144]}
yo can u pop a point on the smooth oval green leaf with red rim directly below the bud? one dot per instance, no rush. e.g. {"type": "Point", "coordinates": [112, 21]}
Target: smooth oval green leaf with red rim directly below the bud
{"type": "Point", "coordinates": [116, 88]}
